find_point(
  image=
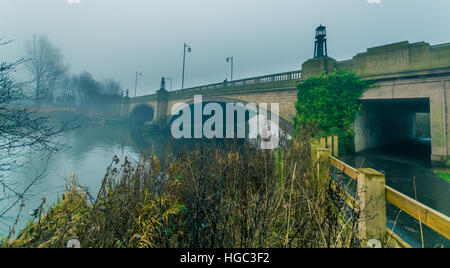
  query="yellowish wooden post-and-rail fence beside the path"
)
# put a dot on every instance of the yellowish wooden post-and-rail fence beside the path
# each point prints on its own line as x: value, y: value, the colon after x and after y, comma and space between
x: 372, y: 195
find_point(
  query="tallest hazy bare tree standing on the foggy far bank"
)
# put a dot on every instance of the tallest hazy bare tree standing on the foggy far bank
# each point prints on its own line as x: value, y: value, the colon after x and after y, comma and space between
x: 45, y: 63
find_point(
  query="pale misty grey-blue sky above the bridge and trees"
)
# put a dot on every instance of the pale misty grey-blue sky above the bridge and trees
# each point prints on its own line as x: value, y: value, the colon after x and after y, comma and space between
x: 115, y: 38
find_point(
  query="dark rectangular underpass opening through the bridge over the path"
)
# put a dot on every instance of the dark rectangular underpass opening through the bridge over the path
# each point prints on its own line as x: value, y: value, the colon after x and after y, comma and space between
x: 398, y: 128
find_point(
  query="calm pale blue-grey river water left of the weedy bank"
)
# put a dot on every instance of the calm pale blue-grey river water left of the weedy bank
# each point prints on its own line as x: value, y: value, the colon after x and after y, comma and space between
x: 89, y: 151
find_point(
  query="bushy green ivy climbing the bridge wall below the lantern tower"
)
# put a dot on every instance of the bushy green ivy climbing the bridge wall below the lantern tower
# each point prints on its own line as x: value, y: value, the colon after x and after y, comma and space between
x: 330, y: 102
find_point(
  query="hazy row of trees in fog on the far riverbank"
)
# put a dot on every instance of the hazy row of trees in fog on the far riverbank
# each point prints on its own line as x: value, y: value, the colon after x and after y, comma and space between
x: 52, y: 83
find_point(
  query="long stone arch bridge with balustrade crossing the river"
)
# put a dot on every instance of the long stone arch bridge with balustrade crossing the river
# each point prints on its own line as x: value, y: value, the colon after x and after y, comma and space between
x: 413, y: 79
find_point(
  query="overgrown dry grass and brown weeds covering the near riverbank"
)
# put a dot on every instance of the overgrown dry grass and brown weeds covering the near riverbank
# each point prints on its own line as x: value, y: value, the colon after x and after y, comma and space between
x: 212, y: 196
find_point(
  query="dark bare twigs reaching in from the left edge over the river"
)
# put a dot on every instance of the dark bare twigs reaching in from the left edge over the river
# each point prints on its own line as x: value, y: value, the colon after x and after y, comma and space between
x: 23, y: 130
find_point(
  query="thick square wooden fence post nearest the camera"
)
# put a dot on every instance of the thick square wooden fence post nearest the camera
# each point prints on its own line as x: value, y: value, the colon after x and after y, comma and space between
x: 372, y: 204
